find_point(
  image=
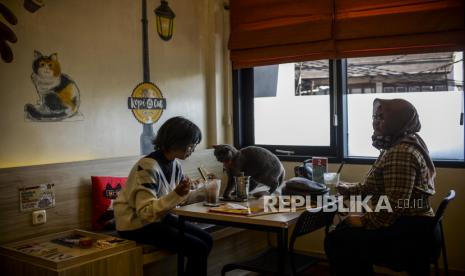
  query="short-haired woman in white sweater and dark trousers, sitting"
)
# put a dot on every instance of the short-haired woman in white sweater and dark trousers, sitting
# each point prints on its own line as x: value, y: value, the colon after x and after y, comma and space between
x: 156, y: 184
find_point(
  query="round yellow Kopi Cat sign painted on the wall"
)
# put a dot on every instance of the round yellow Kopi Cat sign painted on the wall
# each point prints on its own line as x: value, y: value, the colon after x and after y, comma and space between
x: 147, y: 103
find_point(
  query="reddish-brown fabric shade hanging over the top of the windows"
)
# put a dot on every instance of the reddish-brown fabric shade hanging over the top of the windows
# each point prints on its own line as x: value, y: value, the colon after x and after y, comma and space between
x: 278, y: 31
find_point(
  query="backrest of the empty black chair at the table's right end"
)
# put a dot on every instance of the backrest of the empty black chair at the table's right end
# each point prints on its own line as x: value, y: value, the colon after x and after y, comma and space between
x: 312, y: 220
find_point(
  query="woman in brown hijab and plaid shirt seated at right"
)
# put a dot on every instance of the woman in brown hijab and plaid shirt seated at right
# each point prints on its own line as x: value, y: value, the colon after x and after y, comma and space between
x: 404, y: 173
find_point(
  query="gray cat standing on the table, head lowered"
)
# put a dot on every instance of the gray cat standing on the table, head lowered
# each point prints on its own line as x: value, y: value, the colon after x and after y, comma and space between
x: 260, y: 164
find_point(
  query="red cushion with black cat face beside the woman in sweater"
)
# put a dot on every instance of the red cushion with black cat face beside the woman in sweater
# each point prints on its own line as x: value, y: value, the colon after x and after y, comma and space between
x: 104, y: 191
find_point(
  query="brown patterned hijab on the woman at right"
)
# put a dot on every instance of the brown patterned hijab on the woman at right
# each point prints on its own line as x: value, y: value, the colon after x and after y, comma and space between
x: 400, y: 124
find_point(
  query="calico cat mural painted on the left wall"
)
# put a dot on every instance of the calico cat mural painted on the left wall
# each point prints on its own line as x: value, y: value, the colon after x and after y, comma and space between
x: 59, y: 96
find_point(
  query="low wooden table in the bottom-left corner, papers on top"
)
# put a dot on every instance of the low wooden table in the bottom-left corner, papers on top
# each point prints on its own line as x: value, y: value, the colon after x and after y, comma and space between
x: 42, y: 256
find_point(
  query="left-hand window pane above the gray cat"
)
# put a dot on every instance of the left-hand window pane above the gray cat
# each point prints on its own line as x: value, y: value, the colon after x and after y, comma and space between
x: 292, y: 108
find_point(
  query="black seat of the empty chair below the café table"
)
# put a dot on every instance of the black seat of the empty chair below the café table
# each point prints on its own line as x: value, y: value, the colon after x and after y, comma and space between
x: 268, y: 260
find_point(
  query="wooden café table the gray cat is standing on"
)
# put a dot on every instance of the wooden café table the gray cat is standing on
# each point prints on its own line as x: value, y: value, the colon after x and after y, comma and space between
x: 277, y: 223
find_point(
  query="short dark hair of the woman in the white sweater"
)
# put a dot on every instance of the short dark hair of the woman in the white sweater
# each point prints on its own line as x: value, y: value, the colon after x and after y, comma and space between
x: 177, y: 132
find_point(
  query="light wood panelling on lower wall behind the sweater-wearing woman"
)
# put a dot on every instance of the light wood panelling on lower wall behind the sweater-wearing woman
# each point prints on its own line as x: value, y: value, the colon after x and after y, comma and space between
x: 72, y: 191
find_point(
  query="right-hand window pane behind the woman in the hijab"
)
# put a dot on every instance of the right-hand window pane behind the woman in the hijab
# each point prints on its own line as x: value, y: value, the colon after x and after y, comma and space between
x: 439, y: 109
